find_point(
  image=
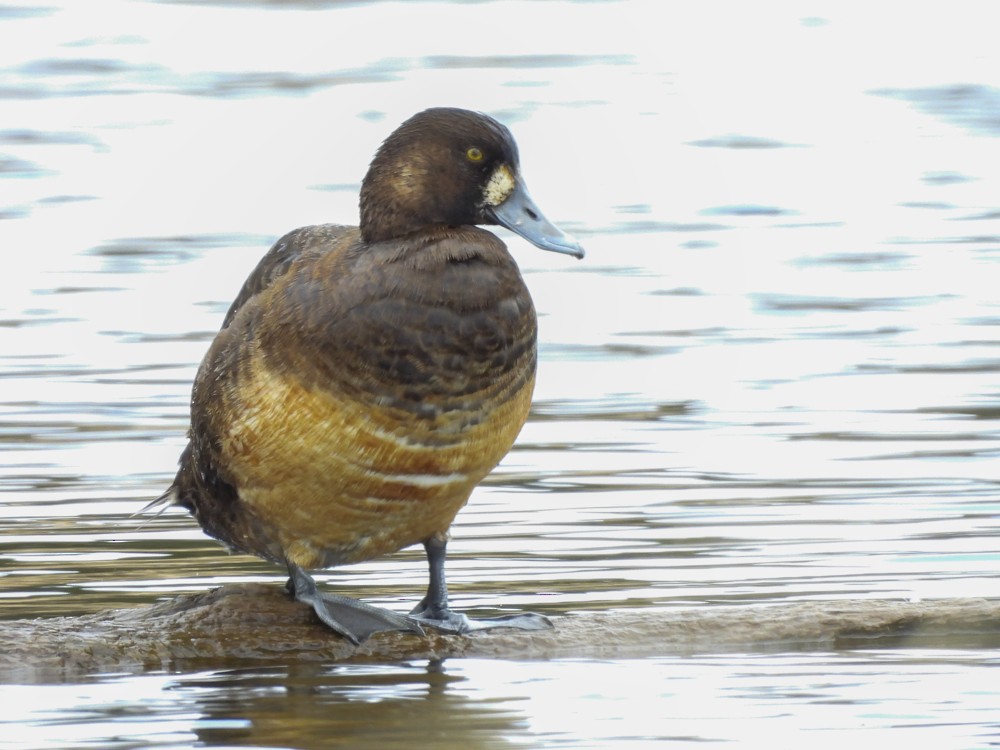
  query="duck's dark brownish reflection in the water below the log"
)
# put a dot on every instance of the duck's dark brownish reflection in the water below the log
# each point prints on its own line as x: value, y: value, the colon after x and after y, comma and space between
x: 404, y: 706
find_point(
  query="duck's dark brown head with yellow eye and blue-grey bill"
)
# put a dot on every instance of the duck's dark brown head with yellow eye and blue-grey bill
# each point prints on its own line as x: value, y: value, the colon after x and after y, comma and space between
x: 452, y: 167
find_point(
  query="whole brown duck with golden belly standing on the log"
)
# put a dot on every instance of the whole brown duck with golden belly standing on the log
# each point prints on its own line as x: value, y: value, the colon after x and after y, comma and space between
x: 367, y: 378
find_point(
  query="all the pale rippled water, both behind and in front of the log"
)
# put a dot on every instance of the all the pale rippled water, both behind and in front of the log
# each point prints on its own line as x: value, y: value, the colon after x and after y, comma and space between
x: 773, y: 379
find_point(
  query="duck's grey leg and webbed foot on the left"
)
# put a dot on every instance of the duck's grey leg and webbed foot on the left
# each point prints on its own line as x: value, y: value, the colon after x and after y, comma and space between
x: 353, y: 620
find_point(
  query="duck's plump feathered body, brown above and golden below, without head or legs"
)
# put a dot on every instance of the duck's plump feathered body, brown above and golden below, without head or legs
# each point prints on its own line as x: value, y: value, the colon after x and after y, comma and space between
x: 358, y: 392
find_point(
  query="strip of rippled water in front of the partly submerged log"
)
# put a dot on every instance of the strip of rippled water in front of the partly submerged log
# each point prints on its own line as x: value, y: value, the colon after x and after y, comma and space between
x: 688, y: 702
